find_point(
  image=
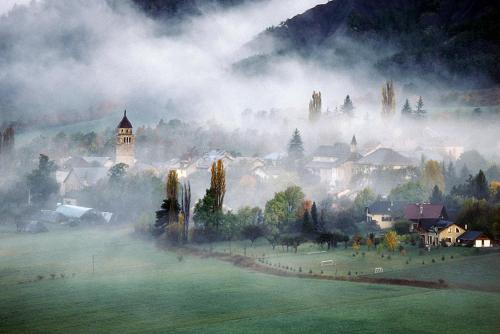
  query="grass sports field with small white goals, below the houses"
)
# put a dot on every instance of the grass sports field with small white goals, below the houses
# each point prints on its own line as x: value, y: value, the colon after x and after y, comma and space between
x: 455, y: 265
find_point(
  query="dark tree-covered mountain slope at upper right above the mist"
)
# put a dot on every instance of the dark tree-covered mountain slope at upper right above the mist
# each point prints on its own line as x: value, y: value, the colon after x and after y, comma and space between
x: 452, y: 39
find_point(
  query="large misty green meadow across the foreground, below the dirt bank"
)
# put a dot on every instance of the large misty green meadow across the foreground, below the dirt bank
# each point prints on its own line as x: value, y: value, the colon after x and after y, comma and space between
x: 137, y: 288
